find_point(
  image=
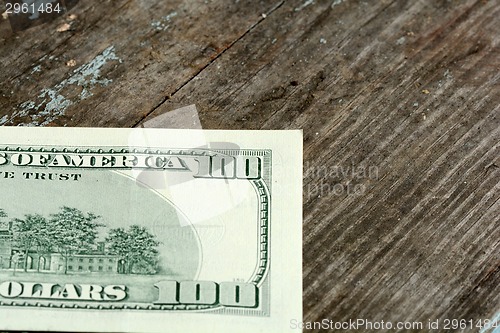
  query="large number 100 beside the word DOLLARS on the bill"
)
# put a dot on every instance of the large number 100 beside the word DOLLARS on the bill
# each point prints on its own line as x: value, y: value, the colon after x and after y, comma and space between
x: 207, y: 293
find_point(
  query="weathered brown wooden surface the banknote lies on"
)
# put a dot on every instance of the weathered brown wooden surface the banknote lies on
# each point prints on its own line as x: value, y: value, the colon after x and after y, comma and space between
x: 407, y: 89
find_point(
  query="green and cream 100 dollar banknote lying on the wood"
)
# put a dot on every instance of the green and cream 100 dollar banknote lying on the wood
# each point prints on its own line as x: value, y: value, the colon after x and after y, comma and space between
x: 148, y: 230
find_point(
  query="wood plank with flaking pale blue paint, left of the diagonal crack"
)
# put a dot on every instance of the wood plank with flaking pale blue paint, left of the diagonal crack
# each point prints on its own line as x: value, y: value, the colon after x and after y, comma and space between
x: 146, y: 49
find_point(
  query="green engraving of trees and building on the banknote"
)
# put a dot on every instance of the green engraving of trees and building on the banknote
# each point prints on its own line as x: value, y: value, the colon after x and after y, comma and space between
x: 62, y: 245
